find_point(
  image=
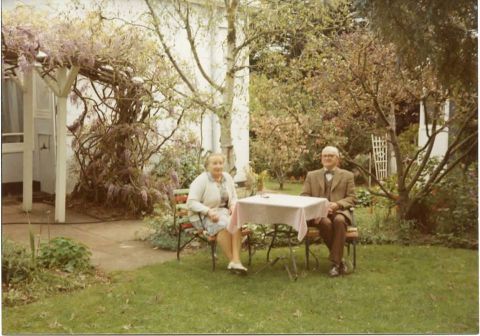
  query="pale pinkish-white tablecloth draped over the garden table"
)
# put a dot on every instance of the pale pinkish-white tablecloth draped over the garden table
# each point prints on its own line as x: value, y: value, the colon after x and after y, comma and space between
x: 278, y: 209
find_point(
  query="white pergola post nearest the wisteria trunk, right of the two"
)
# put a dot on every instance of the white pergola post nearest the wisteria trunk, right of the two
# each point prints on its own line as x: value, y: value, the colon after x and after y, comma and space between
x: 61, y: 152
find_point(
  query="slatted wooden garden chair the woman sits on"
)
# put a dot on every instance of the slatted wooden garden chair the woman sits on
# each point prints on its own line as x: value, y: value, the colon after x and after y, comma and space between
x: 183, y: 224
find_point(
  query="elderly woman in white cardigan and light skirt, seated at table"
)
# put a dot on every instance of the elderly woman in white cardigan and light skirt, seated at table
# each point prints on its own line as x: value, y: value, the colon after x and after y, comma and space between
x: 213, y: 196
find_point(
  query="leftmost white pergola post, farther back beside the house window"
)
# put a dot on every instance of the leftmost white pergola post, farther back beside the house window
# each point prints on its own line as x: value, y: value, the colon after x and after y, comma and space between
x: 28, y: 131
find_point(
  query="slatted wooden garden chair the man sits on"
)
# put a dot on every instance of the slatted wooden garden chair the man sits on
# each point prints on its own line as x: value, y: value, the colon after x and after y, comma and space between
x: 313, y: 236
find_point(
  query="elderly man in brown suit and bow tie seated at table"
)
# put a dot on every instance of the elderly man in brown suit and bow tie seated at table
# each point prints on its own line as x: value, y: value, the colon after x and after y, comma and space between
x: 337, y: 186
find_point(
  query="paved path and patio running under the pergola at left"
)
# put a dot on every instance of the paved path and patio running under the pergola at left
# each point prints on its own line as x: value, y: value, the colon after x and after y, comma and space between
x: 114, y: 244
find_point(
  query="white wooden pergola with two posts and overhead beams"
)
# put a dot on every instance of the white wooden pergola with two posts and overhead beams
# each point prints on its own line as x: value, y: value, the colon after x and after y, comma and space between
x: 59, y: 79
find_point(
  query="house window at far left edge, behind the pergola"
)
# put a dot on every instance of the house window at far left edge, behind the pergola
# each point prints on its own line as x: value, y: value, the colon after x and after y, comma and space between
x: 12, y: 112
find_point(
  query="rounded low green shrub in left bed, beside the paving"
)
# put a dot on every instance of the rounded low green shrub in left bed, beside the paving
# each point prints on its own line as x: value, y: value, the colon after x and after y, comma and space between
x: 65, y: 254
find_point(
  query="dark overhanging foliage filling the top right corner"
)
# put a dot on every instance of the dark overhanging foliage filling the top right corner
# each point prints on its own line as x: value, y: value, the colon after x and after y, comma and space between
x: 443, y: 33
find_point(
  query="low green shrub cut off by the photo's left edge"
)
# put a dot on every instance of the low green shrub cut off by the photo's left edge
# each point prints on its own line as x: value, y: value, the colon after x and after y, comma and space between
x: 17, y: 264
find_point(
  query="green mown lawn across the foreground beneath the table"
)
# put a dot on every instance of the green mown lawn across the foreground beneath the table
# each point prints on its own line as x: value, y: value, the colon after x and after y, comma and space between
x: 396, y: 289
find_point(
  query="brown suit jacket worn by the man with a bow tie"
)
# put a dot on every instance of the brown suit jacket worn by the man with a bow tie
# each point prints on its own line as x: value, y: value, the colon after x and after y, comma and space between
x: 342, y: 192
